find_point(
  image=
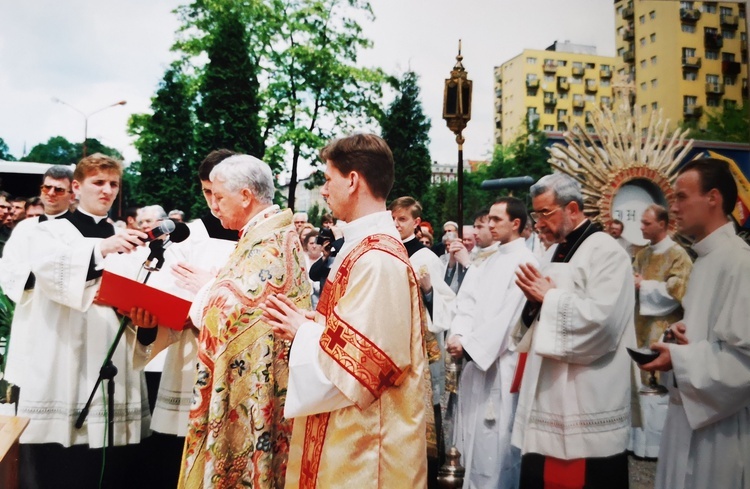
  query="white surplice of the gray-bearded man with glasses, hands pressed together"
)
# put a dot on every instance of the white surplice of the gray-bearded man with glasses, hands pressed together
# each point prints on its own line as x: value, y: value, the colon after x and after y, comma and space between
x: 574, y: 400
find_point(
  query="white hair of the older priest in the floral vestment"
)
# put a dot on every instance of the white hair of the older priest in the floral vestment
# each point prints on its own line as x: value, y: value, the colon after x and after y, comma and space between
x: 245, y: 171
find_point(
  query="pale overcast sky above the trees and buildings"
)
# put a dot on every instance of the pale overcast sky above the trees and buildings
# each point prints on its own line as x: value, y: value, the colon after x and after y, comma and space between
x: 94, y: 53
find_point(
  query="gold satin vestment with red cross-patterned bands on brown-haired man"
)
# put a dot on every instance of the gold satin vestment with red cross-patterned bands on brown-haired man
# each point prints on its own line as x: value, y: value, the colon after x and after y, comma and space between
x: 373, y: 351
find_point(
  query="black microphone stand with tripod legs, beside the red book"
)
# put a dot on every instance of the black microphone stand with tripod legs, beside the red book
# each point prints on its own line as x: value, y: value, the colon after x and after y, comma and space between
x: 108, y: 370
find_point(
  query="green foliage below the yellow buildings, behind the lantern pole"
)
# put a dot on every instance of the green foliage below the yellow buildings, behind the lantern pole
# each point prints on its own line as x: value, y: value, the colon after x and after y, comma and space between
x: 527, y: 155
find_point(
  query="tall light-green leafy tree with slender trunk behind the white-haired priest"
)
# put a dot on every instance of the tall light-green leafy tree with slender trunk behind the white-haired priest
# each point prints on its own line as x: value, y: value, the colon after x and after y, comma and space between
x: 317, y: 88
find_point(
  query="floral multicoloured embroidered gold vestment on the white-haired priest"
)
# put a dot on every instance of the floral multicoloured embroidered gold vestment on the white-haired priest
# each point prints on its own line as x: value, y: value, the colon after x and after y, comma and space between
x: 237, y: 435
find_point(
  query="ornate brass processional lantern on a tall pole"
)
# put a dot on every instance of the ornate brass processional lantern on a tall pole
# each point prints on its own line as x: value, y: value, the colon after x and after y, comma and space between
x: 457, y: 113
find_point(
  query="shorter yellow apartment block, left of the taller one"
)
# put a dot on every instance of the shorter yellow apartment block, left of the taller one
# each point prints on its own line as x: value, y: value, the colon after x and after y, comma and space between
x: 553, y: 88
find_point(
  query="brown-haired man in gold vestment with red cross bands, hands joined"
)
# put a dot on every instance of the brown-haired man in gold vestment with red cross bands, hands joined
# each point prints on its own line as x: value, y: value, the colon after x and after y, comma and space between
x: 358, y: 373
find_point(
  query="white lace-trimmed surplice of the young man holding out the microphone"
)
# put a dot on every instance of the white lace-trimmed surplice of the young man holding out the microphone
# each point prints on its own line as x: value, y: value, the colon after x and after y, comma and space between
x: 65, y: 339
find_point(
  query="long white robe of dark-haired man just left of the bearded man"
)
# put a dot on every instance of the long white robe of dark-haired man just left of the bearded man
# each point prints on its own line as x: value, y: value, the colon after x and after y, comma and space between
x: 488, y: 305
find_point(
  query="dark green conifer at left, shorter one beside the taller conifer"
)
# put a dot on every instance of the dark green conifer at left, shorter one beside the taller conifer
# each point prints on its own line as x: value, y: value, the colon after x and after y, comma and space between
x: 167, y: 171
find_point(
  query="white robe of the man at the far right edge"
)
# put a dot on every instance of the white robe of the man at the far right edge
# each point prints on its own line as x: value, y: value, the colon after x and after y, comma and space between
x: 706, y: 439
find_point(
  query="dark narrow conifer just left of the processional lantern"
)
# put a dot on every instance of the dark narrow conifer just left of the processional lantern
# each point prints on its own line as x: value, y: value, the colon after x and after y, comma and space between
x: 405, y: 128
